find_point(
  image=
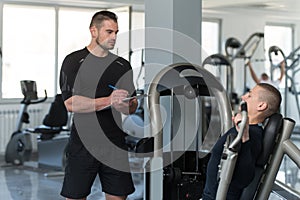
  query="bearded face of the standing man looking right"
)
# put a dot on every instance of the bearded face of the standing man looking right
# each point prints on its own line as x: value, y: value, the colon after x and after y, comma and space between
x: 107, y: 35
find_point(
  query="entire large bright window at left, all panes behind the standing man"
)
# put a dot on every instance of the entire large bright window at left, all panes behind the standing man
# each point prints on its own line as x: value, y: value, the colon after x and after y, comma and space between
x: 34, y: 45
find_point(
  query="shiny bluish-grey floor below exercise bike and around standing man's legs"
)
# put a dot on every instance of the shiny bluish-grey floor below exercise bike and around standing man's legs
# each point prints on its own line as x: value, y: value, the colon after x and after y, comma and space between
x: 28, y: 182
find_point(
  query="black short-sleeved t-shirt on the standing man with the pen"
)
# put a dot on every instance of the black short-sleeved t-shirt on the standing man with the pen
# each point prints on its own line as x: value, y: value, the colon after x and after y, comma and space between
x: 87, y: 75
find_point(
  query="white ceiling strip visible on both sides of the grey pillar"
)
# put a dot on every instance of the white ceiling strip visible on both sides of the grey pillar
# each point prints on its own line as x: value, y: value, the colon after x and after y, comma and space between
x: 288, y: 7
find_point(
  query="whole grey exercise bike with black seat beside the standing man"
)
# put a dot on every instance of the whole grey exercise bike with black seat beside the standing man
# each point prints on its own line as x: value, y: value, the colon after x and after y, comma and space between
x: 51, y: 142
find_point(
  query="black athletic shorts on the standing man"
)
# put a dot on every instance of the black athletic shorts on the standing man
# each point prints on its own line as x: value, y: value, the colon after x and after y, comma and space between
x: 82, y: 169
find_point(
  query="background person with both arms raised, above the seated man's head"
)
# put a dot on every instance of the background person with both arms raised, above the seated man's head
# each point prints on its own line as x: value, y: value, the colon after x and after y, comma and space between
x: 264, y: 78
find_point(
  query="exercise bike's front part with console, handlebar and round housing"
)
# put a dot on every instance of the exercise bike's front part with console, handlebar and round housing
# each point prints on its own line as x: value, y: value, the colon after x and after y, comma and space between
x: 19, y: 147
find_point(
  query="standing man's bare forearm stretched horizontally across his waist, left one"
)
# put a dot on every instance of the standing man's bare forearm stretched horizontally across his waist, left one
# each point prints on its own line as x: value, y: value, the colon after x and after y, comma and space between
x: 81, y: 104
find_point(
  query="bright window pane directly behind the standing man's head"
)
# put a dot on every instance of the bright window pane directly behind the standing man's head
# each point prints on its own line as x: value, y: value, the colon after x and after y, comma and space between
x: 77, y: 21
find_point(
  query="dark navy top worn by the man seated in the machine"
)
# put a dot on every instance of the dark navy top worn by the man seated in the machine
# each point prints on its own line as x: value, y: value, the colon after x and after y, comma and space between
x: 244, y: 168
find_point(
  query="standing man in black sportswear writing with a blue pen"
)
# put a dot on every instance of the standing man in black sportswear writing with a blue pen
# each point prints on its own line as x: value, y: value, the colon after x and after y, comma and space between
x: 94, y: 83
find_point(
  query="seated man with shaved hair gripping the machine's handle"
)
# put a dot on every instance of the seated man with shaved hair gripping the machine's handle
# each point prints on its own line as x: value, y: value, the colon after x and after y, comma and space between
x: 262, y: 101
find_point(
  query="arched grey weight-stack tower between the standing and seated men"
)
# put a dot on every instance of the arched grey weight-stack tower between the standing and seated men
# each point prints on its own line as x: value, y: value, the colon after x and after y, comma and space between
x: 179, y: 173
